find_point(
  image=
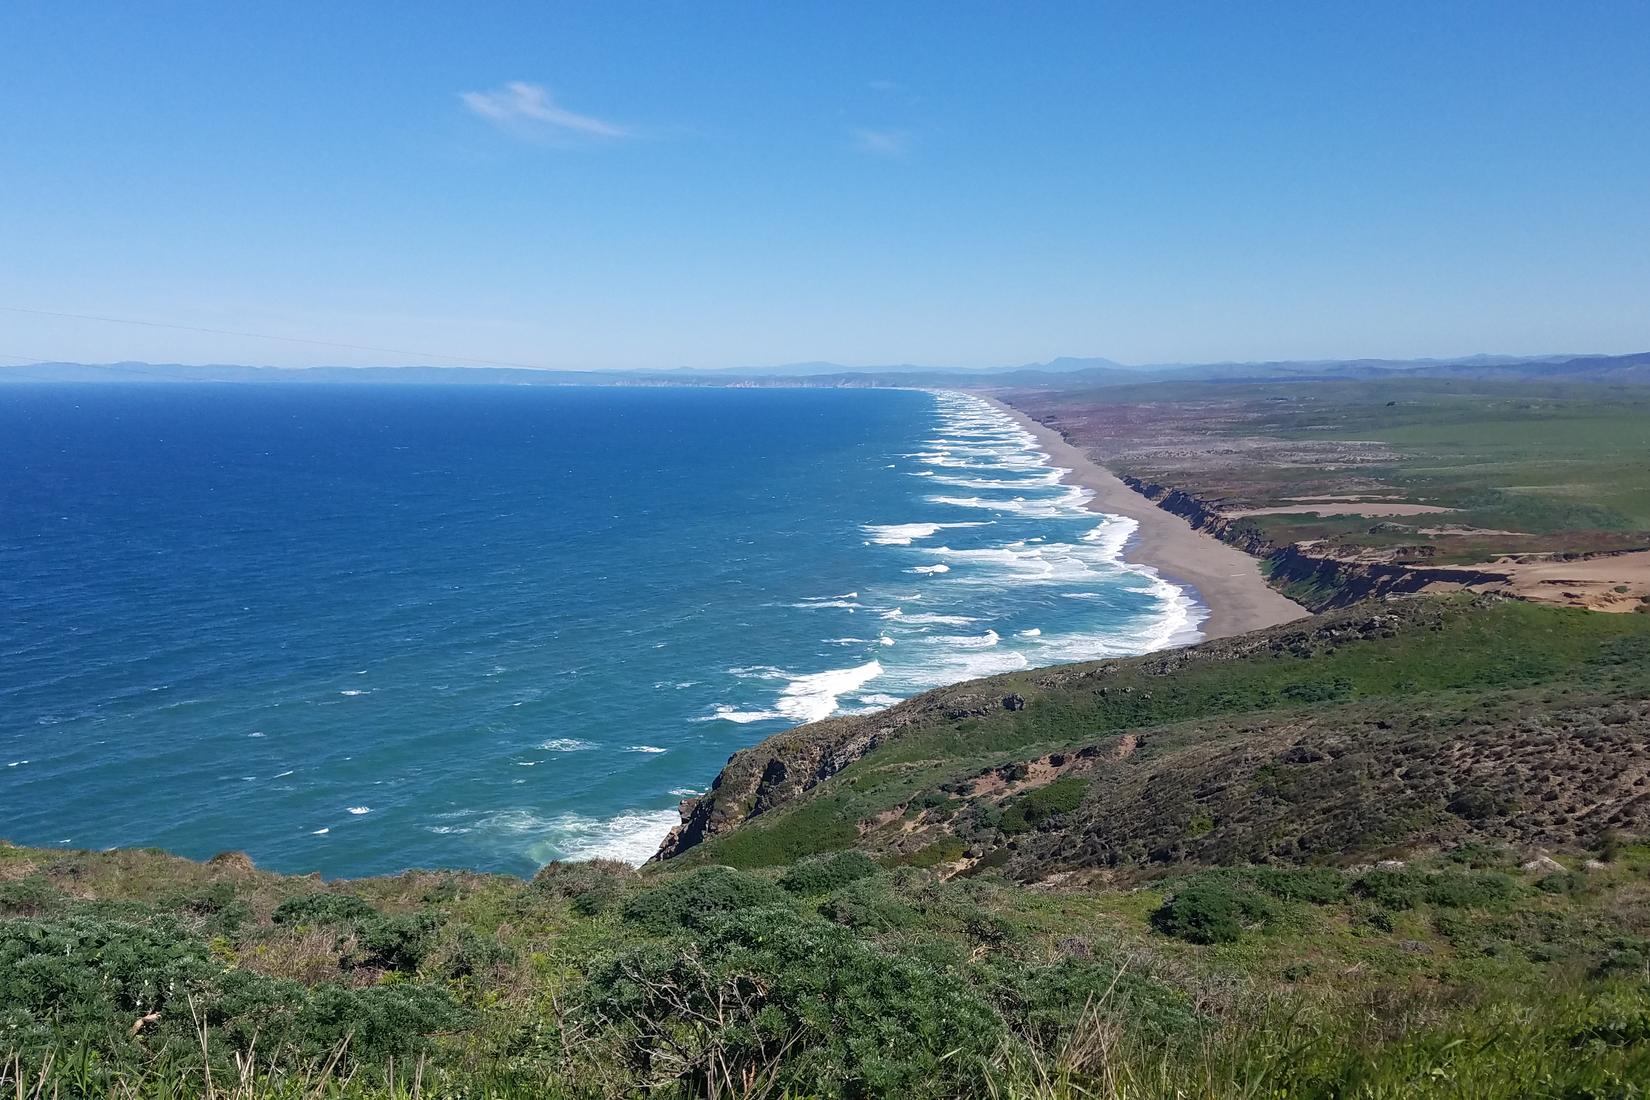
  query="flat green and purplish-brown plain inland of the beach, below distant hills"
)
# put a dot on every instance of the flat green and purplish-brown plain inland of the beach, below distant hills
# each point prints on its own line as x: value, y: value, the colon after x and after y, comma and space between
x: 1530, y: 468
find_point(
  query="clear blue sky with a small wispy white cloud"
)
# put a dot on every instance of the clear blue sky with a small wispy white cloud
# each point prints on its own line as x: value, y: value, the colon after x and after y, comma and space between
x: 618, y: 186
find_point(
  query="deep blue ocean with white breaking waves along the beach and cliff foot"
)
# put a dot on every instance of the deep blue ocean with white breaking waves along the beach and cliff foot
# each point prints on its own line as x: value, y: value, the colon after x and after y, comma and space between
x: 361, y: 629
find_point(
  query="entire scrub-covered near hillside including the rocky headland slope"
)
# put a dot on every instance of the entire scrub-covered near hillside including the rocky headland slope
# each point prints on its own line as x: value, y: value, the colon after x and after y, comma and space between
x: 1384, y: 853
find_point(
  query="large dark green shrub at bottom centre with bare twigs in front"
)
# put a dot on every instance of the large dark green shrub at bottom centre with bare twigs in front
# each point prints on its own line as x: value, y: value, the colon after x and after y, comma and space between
x: 768, y: 990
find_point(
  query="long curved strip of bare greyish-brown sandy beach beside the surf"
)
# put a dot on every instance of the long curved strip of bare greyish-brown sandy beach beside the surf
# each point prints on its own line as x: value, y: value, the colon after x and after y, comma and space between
x: 1225, y: 580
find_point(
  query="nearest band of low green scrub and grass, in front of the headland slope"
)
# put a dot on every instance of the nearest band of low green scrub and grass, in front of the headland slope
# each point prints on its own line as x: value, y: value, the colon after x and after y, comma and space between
x: 829, y: 979
